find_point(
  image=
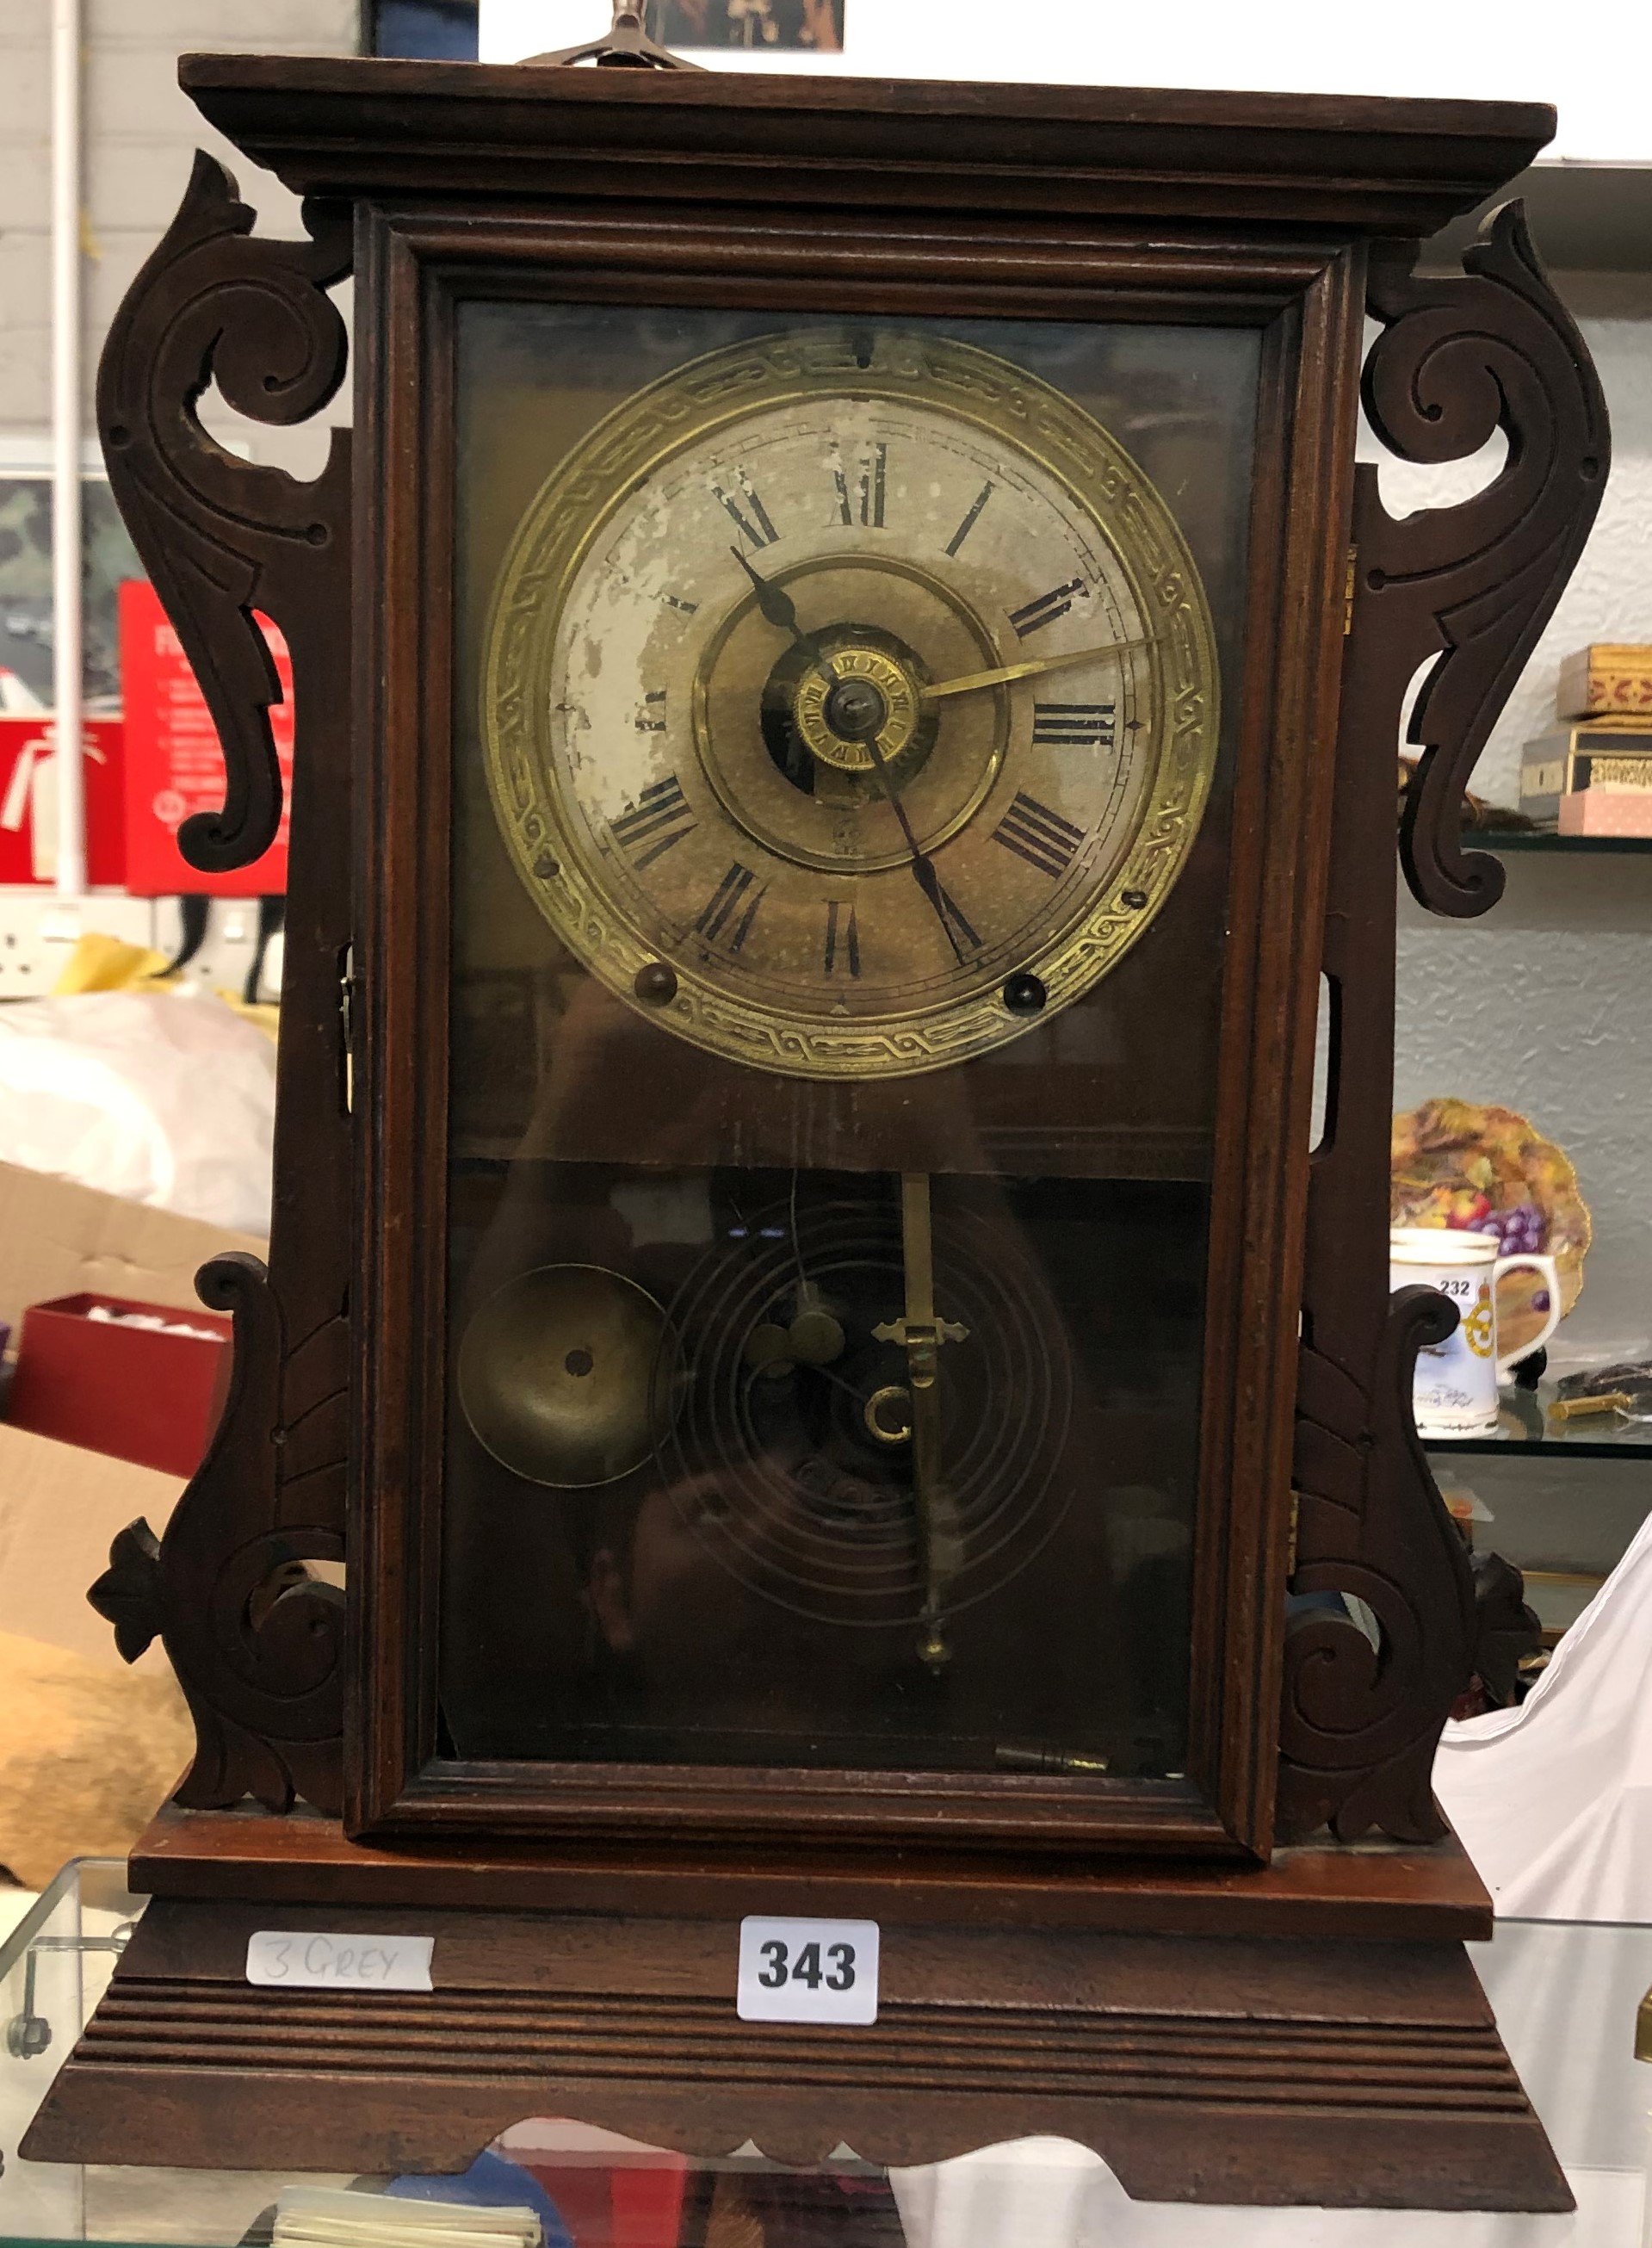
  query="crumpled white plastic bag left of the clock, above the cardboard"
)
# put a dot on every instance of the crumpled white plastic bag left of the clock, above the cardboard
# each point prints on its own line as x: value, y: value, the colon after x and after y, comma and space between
x: 152, y: 1096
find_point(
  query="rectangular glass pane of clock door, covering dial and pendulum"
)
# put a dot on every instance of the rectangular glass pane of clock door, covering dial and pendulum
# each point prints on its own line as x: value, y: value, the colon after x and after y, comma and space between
x: 842, y: 797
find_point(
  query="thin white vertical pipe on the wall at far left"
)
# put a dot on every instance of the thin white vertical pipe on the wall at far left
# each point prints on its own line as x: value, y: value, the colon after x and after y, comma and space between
x: 66, y: 444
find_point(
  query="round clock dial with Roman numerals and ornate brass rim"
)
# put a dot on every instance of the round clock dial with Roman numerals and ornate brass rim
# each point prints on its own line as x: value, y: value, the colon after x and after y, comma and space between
x: 851, y: 702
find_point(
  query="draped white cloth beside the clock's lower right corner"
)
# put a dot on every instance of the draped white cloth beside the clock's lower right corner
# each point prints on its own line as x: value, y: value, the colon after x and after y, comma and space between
x: 1554, y: 1800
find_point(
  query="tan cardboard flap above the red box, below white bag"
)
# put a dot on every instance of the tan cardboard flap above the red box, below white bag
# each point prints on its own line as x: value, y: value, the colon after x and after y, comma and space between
x: 64, y: 1240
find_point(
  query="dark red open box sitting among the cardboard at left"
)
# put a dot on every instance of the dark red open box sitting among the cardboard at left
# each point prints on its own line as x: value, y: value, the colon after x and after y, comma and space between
x: 134, y: 1393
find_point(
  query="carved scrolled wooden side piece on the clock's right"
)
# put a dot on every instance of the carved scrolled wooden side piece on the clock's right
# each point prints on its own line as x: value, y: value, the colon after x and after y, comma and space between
x: 1473, y: 588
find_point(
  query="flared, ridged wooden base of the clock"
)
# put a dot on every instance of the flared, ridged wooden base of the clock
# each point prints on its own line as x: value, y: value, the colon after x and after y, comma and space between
x: 1217, y: 2065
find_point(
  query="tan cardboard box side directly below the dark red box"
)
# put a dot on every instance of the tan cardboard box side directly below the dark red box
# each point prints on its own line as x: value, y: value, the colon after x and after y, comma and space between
x: 60, y: 1514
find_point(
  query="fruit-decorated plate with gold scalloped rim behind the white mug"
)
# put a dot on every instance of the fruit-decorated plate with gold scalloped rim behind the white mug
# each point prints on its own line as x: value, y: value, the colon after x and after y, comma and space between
x: 1491, y: 1172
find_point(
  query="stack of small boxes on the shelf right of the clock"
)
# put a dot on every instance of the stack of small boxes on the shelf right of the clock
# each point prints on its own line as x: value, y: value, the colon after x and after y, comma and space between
x: 1595, y: 774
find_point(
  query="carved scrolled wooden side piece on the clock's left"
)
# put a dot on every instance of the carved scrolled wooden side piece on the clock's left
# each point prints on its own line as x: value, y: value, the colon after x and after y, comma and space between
x: 253, y: 1633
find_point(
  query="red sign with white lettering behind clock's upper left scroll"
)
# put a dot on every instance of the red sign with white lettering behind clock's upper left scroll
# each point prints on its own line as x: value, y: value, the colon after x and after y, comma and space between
x: 174, y: 763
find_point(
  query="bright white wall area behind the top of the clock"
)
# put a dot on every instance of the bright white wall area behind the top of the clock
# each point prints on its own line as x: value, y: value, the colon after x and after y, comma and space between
x: 1592, y: 60
